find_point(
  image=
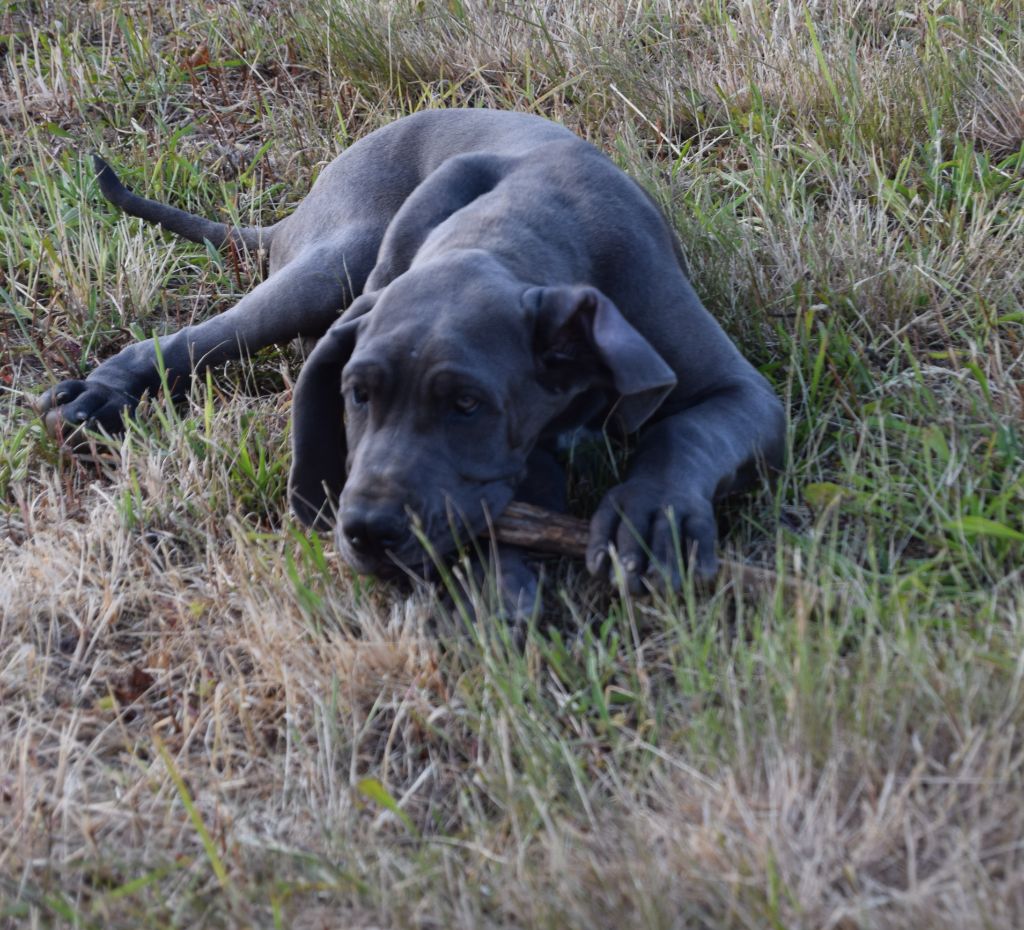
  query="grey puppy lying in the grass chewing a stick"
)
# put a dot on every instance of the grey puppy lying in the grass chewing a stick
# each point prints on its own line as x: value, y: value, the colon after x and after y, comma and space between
x: 500, y: 282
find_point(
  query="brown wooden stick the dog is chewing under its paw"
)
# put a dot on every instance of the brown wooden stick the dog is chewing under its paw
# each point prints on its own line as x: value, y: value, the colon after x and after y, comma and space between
x: 558, y: 534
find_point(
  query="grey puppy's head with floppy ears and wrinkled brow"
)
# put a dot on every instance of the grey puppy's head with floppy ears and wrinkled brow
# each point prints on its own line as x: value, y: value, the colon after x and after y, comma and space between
x: 445, y: 379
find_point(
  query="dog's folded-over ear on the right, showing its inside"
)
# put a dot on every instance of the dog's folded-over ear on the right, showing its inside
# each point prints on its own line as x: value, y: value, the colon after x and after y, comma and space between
x: 582, y: 339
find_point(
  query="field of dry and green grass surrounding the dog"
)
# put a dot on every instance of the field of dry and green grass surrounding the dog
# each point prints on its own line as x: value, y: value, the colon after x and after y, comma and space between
x: 206, y: 721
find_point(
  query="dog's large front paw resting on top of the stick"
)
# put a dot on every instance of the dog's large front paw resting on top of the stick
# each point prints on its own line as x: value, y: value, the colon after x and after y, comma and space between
x: 646, y: 523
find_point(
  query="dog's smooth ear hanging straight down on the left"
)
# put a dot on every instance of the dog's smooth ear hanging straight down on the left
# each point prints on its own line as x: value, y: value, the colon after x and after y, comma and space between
x: 319, y: 448
